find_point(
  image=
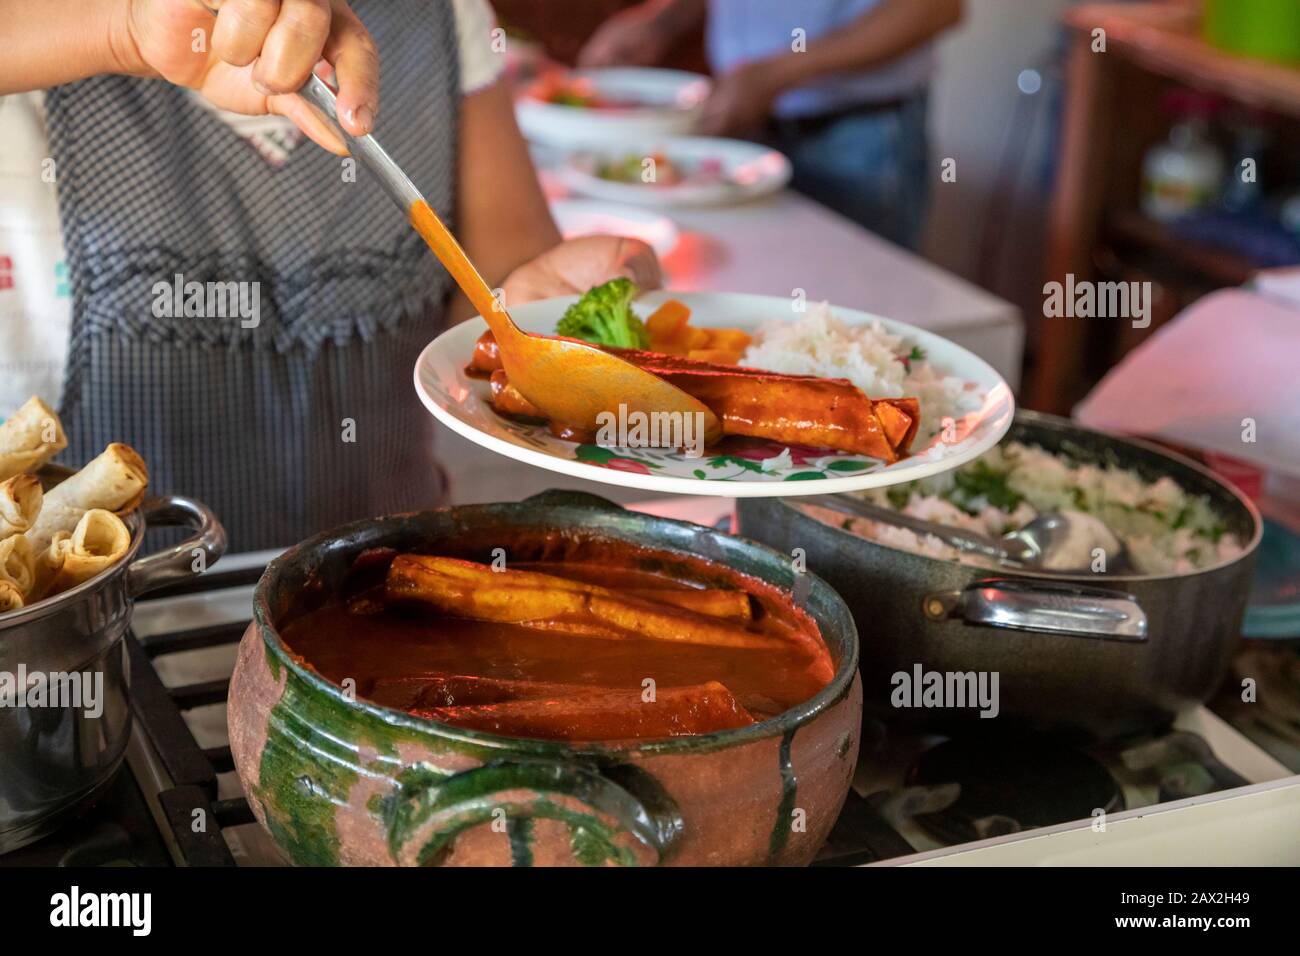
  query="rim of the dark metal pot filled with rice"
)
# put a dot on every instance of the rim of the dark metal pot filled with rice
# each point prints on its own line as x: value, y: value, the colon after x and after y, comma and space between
x: 1052, y: 421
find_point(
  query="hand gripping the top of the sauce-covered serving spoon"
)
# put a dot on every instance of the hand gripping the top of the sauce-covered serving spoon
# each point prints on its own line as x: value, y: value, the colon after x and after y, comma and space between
x: 254, y: 55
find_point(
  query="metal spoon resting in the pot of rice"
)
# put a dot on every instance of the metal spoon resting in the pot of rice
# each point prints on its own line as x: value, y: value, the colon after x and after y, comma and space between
x: 1034, y: 547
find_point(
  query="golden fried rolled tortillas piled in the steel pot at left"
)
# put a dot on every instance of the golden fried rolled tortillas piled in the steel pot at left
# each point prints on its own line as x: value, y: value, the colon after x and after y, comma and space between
x: 55, y: 539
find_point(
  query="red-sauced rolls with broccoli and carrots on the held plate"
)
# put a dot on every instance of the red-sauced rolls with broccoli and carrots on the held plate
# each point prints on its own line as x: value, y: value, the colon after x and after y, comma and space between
x: 794, y: 409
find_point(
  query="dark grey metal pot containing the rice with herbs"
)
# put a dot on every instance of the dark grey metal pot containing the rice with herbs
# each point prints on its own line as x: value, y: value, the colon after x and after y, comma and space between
x: 1106, y: 654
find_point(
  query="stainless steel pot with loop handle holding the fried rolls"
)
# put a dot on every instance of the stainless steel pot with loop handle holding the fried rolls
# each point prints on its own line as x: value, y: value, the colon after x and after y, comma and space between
x: 60, y: 756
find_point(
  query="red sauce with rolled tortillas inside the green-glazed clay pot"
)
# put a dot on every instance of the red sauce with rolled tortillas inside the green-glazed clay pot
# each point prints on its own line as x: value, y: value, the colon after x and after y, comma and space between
x: 582, y: 647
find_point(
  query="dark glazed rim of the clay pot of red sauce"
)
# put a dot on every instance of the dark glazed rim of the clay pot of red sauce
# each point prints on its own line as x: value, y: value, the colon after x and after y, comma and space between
x: 785, y: 723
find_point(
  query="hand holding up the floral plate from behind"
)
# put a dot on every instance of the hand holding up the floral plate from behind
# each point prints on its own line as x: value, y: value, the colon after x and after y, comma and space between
x: 575, y: 266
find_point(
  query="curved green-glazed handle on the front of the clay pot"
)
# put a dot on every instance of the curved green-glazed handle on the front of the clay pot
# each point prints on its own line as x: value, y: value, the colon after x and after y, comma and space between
x: 517, y: 790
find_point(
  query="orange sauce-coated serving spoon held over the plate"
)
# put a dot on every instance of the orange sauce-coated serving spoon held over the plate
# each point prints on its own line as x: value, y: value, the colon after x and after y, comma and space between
x: 571, y: 383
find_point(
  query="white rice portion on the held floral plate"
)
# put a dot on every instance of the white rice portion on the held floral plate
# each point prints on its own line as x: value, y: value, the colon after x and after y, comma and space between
x: 878, y: 362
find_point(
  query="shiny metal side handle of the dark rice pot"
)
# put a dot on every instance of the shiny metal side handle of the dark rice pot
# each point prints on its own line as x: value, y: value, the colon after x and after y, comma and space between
x: 1047, y: 608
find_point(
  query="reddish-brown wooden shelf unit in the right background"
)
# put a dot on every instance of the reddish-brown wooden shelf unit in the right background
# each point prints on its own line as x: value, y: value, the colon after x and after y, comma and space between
x: 1095, y: 232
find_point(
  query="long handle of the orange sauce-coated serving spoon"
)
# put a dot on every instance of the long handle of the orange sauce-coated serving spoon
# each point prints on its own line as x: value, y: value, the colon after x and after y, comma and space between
x: 413, y: 204
